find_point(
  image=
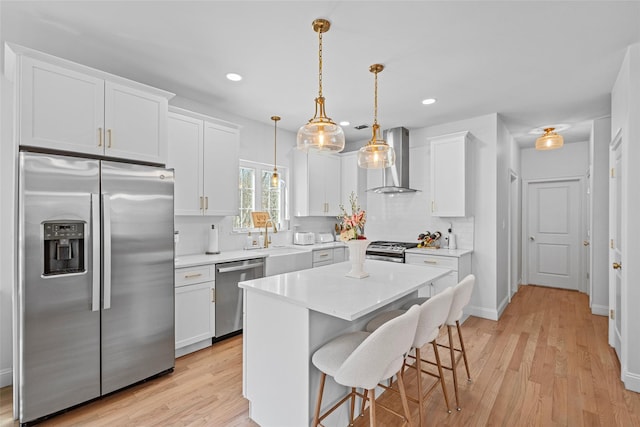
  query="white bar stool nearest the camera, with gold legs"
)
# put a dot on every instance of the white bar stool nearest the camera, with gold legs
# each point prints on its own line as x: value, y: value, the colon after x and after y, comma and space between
x: 362, y: 360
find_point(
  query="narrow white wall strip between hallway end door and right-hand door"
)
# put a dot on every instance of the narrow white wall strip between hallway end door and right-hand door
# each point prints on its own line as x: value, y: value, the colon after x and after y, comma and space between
x: 599, y: 216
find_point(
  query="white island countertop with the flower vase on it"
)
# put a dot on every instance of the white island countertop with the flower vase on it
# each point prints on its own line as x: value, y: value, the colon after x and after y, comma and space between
x: 327, y: 290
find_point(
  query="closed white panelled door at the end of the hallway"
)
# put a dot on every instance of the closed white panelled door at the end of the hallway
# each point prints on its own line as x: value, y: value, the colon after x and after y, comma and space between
x: 554, y: 233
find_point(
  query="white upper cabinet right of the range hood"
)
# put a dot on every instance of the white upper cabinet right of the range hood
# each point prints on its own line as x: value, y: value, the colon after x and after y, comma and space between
x: 450, y: 176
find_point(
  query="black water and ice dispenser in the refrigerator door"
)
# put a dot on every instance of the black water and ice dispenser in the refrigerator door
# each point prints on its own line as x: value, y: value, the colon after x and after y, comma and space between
x: 63, y: 247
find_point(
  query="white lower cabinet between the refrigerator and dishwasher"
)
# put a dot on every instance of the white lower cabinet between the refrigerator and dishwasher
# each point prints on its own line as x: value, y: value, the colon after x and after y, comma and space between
x: 194, y: 308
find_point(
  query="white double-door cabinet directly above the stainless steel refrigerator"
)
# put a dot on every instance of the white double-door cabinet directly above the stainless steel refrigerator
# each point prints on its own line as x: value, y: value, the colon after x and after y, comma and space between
x: 68, y: 107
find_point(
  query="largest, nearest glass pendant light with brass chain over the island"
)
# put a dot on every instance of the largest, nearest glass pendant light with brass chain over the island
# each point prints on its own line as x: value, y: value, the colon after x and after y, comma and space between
x: 320, y: 133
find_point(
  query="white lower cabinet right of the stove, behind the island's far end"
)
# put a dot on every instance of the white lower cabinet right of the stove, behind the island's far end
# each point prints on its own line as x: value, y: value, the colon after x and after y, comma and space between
x: 460, y: 266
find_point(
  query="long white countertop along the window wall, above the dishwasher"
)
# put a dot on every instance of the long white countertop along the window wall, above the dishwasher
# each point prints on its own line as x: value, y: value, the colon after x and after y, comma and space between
x: 237, y: 255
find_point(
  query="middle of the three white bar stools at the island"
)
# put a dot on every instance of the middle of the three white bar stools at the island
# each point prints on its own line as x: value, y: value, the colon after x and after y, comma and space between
x: 433, y: 314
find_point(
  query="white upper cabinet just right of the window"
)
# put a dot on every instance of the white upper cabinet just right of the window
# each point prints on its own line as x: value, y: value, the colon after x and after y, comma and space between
x: 317, y: 184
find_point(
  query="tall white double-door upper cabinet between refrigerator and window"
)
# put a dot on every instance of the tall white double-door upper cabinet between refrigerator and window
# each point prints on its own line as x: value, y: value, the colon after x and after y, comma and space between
x: 205, y: 156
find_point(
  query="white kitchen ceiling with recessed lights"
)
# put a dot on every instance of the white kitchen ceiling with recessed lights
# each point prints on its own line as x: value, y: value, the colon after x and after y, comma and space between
x: 533, y: 62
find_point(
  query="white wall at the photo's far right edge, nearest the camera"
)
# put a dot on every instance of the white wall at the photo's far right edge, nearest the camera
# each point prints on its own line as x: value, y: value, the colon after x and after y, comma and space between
x: 625, y: 110
